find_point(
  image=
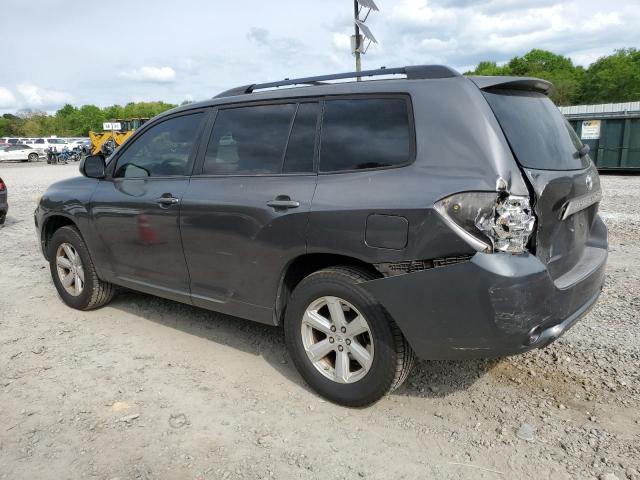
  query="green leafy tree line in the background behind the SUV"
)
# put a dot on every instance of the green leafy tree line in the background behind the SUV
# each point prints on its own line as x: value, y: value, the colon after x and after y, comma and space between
x: 612, y: 78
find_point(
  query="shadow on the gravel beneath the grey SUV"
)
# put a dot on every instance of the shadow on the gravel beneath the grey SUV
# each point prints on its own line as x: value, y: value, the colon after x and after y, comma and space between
x: 429, y: 379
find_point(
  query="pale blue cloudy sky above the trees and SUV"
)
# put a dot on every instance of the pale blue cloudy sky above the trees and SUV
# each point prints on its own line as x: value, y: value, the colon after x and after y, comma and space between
x: 79, y: 52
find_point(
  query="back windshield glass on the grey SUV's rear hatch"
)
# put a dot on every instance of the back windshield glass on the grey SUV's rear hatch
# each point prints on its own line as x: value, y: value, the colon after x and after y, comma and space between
x: 539, y: 135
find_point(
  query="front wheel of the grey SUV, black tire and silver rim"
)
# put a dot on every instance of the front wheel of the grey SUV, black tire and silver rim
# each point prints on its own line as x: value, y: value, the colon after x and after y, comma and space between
x: 94, y: 293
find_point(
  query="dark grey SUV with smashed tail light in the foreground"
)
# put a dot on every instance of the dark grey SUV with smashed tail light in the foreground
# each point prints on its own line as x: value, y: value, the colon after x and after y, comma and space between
x: 375, y: 220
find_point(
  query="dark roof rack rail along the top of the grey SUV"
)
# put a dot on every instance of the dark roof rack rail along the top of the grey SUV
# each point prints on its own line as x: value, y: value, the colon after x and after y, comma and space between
x: 413, y: 72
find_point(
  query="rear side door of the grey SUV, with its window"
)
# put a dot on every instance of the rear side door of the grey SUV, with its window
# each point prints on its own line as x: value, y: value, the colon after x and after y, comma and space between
x: 245, y: 212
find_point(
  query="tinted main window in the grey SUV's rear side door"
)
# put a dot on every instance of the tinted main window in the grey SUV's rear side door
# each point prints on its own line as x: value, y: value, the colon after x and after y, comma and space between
x: 249, y: 140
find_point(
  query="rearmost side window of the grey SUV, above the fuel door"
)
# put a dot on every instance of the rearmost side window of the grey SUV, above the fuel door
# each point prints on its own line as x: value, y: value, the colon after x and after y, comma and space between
x: 364, y: 133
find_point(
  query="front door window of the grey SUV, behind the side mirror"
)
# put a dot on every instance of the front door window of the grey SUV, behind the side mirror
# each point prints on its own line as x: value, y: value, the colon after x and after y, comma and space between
x: 161, y: 151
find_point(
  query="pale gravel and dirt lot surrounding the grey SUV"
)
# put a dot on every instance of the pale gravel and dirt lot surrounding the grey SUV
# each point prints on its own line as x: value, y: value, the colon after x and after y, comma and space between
x: 150, y: 389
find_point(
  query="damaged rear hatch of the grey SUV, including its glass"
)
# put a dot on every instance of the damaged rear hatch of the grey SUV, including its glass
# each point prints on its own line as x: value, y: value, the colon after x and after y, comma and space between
x: 563, y: 178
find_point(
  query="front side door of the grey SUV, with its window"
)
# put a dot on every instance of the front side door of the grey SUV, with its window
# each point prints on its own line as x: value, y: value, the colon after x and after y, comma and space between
x: 136, y: 209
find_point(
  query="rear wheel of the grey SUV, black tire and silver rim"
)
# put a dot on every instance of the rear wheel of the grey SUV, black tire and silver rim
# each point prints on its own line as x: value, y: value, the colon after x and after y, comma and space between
x: 392, y: 357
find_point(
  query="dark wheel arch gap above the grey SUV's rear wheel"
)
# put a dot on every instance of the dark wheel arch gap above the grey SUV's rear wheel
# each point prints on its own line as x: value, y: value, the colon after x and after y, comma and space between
x: 304, y: 265
